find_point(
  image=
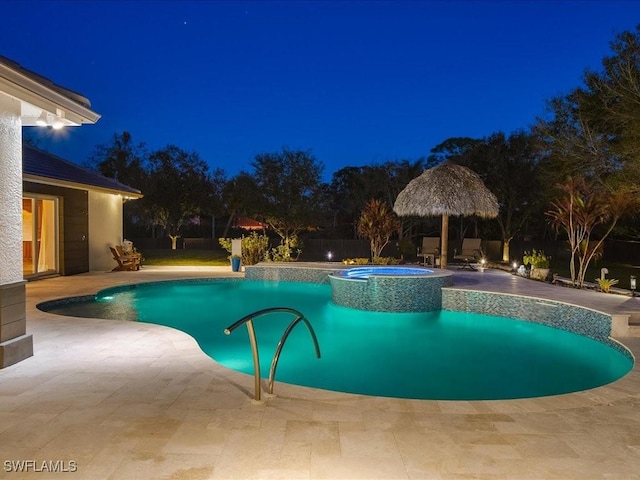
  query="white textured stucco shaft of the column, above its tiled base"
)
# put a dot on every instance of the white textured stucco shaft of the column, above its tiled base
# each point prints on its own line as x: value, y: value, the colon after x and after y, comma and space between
x: 10, y: 191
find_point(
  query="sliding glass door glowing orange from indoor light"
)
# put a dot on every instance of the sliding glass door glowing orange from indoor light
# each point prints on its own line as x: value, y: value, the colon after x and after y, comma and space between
x: 39, y: 235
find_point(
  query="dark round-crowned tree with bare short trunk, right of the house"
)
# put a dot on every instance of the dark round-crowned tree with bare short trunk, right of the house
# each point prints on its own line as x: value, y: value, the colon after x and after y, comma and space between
x: 179, y: 188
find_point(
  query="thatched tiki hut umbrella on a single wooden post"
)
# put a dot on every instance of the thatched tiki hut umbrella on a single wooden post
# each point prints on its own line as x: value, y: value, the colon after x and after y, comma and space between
x: 447, y: 189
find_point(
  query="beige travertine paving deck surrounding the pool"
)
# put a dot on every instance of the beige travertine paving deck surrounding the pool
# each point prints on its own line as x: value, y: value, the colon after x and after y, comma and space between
x: 138, y: 401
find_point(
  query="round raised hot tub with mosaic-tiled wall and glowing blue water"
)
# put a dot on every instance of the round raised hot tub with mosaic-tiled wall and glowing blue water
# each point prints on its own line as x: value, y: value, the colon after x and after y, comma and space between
x: 389, y: 289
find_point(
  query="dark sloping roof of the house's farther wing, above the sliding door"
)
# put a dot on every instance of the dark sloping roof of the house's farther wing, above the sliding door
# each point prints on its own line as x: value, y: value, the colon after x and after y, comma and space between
x: 42, y: 167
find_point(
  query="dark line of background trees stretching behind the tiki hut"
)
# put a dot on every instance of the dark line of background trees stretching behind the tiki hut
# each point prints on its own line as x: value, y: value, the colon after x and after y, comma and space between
x: 592, y: 132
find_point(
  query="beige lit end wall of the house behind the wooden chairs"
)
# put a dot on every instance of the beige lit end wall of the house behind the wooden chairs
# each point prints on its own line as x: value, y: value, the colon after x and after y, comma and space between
x: 105, y: 229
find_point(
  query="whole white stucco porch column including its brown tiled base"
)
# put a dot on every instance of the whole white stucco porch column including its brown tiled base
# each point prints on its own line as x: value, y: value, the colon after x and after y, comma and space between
x: 15, y: 345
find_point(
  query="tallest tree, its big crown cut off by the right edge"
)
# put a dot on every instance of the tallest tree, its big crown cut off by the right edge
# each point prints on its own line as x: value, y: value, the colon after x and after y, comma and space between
x: 595, y: 129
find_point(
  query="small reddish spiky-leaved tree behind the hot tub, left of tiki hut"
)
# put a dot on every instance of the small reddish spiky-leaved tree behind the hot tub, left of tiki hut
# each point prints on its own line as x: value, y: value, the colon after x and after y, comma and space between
x: 377, y: 223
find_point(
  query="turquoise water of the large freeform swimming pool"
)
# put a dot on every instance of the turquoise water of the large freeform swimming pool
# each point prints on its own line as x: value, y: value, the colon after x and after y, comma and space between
x: 435, y: 355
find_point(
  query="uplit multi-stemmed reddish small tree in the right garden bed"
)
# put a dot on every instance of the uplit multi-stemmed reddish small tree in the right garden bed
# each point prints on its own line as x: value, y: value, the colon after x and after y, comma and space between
x: 581, y: 207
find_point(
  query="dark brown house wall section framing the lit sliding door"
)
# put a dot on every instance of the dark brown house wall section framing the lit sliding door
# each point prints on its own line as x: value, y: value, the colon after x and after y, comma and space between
x: 73, y: 224
